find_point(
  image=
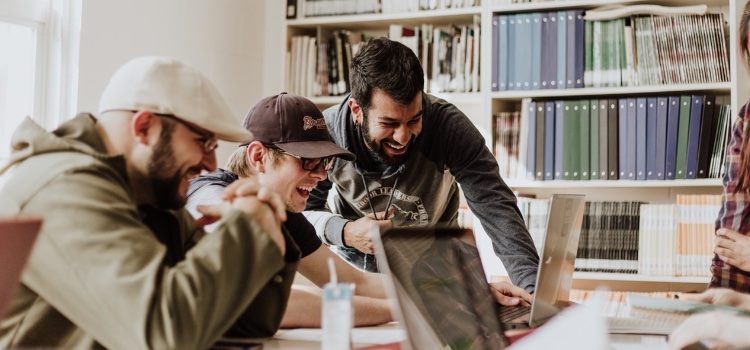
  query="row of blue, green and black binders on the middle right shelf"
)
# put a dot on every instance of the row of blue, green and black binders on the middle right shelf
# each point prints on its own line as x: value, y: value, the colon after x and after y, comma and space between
x: 630, y: 138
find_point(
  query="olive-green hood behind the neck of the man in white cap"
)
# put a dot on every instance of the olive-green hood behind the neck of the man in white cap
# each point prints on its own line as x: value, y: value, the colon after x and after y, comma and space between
x: 76, y: 135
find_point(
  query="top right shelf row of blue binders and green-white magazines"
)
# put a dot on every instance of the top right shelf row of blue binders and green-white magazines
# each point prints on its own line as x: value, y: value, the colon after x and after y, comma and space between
x: 561, y: 50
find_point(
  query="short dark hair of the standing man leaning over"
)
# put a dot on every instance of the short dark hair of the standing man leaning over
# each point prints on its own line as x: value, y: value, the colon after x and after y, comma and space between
x: 388, y: 66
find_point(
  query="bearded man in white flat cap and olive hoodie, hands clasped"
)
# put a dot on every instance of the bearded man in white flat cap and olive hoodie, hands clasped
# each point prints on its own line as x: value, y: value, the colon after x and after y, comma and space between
x: 119, y: 263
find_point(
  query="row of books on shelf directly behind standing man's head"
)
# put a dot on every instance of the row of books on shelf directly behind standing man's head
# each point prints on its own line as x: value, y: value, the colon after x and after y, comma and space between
x: 449, y: 58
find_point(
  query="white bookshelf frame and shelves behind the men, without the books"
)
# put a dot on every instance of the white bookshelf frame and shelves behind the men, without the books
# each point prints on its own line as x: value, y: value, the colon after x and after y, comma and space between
x: 481, y: 106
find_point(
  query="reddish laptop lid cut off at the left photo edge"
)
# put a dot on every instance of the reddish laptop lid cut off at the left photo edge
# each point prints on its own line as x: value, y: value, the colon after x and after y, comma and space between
x: 17, y: 237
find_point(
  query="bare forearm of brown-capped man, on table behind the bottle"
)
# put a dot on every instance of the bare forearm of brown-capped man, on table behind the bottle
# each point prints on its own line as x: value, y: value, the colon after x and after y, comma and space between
x: 304, y: 309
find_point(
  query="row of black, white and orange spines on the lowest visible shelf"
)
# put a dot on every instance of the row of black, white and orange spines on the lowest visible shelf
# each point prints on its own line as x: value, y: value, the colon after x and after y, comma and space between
x: 638, y: 238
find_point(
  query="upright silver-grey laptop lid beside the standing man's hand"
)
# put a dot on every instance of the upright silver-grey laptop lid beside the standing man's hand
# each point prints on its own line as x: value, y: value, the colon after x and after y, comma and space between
x: 555, y: 275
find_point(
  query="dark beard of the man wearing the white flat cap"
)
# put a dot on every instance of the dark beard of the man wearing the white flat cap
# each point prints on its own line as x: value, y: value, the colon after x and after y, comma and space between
x: 165, y: 188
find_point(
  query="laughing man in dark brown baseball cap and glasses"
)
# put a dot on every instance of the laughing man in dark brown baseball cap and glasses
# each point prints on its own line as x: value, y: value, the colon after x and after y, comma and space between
x: 290, y: 152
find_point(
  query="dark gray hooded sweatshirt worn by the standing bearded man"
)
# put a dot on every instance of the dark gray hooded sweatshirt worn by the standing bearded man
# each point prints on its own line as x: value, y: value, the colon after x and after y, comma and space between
x: 423, y: 191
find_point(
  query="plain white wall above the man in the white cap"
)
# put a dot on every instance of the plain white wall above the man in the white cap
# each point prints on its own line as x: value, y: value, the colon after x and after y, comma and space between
x: 222, y: 38
